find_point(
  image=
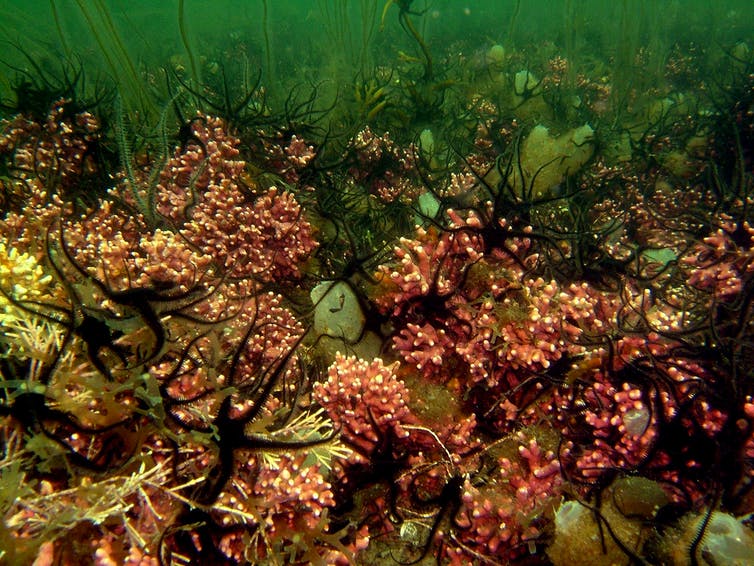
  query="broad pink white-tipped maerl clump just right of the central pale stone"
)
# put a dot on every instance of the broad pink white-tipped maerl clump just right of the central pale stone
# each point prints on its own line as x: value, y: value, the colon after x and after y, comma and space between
x: 460, y: 301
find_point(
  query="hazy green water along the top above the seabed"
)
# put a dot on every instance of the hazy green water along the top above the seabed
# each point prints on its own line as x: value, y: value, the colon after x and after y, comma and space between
x: 293, y: 41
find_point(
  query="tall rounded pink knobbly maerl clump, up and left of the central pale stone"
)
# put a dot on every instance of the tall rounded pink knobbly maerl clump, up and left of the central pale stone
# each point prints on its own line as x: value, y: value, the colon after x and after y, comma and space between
x: 263, y: 235
